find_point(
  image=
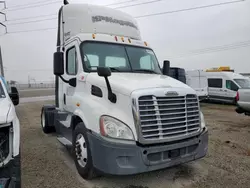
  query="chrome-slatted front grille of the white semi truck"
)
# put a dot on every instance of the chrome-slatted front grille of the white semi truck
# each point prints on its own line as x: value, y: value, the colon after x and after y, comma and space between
x: 164, y: 117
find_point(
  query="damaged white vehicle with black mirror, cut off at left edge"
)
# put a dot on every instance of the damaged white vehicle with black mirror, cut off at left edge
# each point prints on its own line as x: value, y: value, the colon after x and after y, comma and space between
x: 9, y: 138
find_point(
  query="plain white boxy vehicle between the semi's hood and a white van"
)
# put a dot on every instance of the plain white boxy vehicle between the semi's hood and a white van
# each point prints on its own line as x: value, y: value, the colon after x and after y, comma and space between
x: 197, y: 80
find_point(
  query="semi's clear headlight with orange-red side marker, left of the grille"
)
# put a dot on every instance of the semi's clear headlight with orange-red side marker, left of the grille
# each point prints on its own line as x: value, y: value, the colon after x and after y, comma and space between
x: 111, y: 127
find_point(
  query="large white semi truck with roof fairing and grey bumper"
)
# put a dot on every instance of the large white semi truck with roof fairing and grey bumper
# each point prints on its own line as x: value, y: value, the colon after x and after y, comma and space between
x: 114, y: 107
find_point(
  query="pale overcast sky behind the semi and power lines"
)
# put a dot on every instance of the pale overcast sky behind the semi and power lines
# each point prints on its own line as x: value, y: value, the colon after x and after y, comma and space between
x: 192, y: 39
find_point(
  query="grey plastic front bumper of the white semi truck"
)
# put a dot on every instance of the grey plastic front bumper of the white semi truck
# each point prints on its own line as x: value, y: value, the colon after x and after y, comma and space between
x: 124, y: 159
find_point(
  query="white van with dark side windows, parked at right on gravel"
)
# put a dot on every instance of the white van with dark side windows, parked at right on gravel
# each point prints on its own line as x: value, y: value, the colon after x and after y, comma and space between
x: 223, y: 86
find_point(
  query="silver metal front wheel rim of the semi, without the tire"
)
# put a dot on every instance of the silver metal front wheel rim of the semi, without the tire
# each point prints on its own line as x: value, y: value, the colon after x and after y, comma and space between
x: 81, y: 150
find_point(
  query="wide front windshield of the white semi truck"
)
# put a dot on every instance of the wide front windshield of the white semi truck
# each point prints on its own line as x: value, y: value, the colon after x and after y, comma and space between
x: 119, y: 58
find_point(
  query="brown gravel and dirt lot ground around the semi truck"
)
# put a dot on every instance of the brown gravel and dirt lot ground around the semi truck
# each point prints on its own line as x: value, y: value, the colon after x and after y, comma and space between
x: 45, y: 163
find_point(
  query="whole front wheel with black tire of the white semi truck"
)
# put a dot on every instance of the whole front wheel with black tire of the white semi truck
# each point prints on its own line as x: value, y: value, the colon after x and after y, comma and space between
x: 82, y: 153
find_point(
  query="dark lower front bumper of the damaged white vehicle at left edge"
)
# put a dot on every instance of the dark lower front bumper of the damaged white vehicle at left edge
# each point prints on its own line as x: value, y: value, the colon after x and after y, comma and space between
x: 10, y: 175
